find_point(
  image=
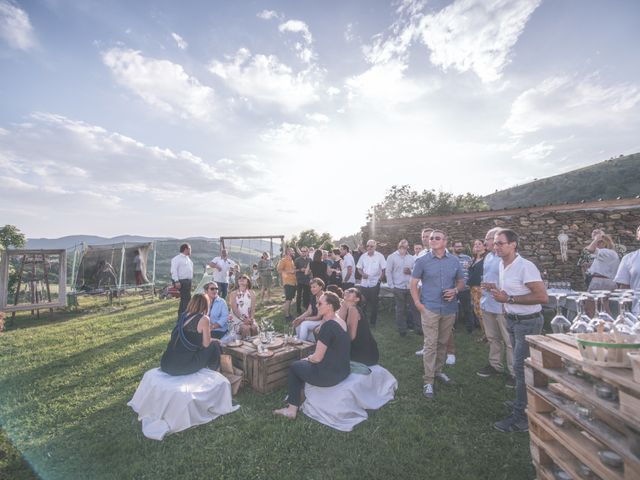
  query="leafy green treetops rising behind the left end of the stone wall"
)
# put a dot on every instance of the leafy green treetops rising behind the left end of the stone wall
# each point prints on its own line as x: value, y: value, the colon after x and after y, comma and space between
x: 403, y: 202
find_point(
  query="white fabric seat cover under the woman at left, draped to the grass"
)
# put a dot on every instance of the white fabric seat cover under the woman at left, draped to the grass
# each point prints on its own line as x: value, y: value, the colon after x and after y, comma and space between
x: 168, y: 404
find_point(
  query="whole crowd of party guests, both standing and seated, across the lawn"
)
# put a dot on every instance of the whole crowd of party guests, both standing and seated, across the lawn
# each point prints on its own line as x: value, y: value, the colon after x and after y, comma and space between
x: 504, y: 293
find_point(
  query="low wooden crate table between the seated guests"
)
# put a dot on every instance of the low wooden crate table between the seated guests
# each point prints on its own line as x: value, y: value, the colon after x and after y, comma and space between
x: 266, y: 374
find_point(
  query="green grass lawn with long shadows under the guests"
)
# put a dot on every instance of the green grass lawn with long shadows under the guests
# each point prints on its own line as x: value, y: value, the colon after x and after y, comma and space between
x: 65, y: 380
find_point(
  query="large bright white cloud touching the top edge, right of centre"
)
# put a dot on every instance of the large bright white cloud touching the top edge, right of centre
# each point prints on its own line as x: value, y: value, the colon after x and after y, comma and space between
x: 476, y: 35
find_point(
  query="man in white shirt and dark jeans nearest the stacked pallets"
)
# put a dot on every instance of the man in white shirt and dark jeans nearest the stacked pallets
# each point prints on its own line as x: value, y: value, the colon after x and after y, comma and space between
x: 521, y: 291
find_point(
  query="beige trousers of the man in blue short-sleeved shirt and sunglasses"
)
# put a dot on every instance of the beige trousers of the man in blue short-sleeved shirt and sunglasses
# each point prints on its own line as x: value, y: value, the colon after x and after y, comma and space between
x: 437, y: 331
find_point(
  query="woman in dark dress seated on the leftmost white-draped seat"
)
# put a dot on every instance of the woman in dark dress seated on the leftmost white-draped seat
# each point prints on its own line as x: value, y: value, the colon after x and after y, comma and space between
x: 191, y: 347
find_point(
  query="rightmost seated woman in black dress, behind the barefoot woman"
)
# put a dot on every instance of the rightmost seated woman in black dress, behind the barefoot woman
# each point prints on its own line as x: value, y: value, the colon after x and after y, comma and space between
x: 364, y: 348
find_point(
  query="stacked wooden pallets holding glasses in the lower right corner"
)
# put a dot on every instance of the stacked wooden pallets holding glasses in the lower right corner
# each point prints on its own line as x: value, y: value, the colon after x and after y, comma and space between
x: 613, y: 425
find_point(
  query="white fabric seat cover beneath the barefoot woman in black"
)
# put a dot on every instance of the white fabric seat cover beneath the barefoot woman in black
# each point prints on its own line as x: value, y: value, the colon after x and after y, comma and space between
x: 345, y: 405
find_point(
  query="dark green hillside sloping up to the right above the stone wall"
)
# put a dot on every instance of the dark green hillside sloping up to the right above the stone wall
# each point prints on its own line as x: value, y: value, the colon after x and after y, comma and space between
x: 613, y: 178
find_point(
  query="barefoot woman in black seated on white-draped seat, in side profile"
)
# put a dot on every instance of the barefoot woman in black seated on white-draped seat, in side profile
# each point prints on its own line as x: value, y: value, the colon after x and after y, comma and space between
x: 328, y: 365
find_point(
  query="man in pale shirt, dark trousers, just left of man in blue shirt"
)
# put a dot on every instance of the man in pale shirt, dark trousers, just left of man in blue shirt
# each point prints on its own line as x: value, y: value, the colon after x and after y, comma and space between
x: 399, y: 267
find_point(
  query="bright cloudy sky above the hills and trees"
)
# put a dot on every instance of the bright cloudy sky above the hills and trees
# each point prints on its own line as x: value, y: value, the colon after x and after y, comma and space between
x: 209, y: 118
